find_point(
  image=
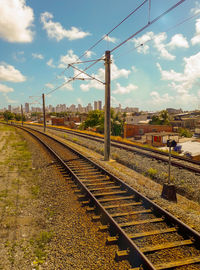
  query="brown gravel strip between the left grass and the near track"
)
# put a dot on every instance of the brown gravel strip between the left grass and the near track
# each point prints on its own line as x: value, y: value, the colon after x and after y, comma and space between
x: 77, y: 242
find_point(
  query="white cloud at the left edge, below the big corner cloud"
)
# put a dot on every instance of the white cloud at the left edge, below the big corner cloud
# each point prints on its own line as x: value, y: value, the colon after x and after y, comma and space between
x: 10, y: 74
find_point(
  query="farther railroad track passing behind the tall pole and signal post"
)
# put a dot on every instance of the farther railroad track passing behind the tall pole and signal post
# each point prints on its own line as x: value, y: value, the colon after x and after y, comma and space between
x: 178, y: 161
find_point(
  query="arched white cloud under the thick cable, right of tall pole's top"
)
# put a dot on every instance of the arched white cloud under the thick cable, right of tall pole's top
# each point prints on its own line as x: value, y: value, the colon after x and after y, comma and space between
x: 158, y: 43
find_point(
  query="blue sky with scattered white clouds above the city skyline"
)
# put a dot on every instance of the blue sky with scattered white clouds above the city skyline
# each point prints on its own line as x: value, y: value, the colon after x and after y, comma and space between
x: 38, y: 39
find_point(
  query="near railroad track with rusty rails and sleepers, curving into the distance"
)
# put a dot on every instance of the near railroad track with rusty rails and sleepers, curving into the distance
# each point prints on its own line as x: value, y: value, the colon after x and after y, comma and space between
x: 147, y: 235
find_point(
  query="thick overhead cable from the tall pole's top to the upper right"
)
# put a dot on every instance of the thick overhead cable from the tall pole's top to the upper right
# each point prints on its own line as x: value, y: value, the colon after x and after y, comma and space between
x: 147, y: 25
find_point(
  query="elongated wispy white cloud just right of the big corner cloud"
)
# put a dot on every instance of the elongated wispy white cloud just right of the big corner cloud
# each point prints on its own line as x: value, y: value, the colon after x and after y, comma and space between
x: 55, y: 29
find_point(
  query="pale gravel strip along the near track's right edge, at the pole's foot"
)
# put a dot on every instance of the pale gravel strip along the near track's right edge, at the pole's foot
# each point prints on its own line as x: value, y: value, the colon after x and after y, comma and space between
x: 186, y: 210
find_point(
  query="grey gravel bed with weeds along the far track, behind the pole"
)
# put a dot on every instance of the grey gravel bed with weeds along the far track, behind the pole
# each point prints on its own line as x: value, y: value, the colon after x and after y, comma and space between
x: 187, y: 183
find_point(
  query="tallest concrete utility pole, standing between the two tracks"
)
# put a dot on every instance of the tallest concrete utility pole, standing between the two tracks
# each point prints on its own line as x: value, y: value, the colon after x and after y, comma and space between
x: 107, y: 108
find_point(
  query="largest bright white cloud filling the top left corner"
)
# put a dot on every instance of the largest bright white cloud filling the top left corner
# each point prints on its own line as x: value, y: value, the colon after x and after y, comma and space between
x: 16, y: 21
